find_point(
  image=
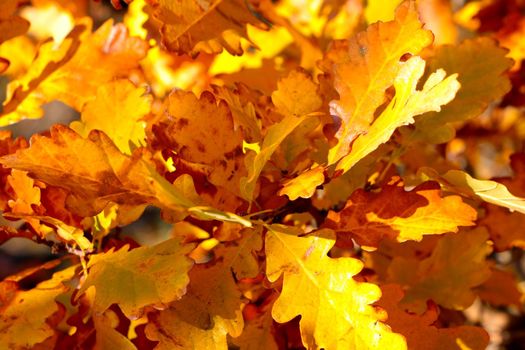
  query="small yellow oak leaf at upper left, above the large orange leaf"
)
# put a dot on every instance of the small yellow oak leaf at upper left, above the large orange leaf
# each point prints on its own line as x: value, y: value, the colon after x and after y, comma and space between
x: 126, y: 104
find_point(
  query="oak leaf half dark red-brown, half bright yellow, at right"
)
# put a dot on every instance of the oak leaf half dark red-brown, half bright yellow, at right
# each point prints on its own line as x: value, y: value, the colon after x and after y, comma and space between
x: 369, y: 217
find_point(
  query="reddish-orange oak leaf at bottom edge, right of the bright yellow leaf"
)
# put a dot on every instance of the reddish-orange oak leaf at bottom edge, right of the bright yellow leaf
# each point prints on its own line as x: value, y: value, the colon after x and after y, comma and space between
x: 420, y: 331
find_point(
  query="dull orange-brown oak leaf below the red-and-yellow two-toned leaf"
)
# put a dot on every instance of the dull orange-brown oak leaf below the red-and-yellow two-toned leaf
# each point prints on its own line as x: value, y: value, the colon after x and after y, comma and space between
x: 449, y: 275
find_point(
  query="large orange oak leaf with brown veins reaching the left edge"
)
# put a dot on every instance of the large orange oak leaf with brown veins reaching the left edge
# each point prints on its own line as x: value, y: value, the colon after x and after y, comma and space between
x: 94, y: 172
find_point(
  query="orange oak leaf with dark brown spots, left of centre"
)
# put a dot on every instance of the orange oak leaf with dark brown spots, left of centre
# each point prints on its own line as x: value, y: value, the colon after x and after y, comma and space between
x: 202, y: 132
